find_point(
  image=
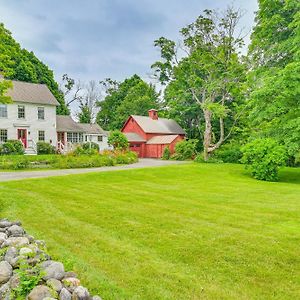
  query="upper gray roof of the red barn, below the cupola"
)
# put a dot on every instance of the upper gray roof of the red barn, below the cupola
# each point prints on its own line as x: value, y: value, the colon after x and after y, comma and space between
x: 161, y: 125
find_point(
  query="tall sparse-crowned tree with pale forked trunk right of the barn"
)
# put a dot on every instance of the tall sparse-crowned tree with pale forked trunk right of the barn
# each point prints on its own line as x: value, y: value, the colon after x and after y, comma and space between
x: 210, y: 75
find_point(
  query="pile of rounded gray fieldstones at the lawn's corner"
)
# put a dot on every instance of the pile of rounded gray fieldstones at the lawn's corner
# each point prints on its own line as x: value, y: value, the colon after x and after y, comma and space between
x: 23, y: 257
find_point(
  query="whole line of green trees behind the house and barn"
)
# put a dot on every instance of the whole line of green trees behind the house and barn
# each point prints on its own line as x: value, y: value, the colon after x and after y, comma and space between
x: 222, y: 98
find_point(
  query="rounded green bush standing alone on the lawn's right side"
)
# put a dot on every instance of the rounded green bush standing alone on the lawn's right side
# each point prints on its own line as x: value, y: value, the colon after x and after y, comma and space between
x: 264, y: 157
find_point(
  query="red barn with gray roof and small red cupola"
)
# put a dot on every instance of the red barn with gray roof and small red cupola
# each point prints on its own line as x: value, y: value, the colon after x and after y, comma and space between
x: 148, y: 136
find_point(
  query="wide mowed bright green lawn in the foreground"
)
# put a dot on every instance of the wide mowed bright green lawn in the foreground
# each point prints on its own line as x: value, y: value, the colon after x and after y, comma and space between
x: 195, y: 231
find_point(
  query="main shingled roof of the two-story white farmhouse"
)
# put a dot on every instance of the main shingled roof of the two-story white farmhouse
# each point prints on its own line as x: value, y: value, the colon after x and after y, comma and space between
x: 31, y: 93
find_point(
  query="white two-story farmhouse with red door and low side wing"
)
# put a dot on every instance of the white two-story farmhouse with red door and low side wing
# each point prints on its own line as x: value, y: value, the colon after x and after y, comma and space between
x: 32, y: 118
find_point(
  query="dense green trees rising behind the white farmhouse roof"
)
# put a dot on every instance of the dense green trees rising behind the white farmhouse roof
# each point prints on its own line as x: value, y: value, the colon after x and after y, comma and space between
x: 19, y: 64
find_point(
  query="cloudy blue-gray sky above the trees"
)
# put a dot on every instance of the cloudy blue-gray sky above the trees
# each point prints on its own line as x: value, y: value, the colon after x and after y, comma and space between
x: 96, y: 39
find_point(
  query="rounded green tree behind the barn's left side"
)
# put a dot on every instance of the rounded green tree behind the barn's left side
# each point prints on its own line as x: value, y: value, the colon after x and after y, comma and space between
x: 132, y: 96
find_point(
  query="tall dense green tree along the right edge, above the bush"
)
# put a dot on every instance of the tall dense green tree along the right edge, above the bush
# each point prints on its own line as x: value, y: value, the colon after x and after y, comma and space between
x: 275, y: 73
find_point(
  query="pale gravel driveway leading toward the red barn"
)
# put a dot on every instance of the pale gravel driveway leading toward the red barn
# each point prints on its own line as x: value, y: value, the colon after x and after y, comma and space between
x: 143, y: 163
